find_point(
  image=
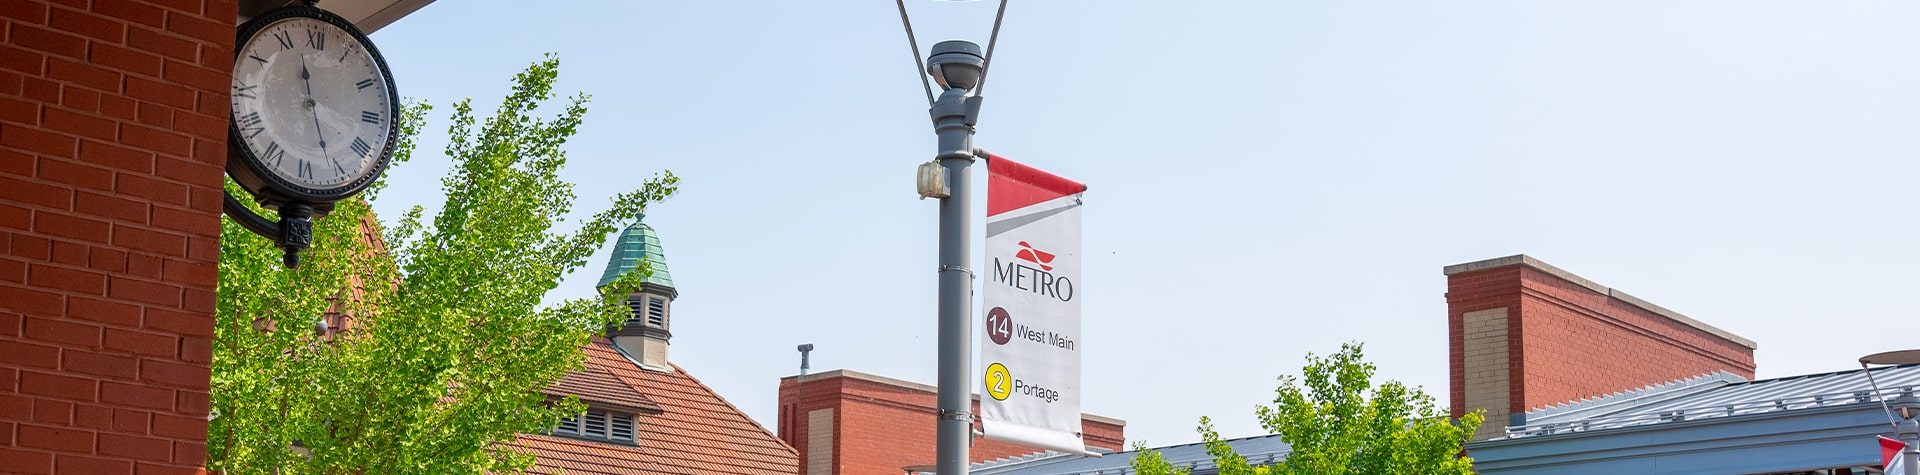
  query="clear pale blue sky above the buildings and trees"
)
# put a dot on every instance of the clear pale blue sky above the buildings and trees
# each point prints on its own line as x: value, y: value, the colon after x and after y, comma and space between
x: 1268, y: 178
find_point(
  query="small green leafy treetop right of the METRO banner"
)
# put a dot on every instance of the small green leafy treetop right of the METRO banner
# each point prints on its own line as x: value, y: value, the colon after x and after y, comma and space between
x: 1337, y: 420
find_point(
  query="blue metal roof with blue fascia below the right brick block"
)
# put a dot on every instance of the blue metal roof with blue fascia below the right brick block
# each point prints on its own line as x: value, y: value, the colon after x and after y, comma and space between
x: 1712, y: 424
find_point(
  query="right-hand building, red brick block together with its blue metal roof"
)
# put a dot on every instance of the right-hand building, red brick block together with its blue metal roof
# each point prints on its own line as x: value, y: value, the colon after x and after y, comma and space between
x: 1579, y: 378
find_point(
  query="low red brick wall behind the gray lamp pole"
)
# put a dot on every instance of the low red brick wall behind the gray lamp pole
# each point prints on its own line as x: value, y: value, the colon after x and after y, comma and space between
x: 882, y: 428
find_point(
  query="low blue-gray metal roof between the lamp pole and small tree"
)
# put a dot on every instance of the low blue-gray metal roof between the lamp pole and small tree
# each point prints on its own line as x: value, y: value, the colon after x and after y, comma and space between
x: 1266, y: 449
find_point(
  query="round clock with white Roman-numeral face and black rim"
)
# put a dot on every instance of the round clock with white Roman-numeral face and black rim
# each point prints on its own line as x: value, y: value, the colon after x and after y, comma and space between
x: 314, y: 105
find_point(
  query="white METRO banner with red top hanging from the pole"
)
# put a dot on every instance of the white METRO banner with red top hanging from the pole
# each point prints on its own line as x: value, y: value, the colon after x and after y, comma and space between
x: 1032, y: 343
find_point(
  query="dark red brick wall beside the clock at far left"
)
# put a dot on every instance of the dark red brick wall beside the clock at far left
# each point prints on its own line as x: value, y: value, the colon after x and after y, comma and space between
x: 112, y: 141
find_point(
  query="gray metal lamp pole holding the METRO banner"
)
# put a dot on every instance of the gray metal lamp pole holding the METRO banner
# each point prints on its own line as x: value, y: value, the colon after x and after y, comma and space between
x: 957, y: 68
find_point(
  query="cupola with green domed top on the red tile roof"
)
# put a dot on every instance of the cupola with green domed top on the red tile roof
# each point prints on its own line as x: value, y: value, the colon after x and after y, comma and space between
x: 646, y: 336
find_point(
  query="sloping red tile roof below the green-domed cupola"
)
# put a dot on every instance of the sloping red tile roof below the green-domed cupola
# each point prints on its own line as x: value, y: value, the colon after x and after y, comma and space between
x: 698, y: 432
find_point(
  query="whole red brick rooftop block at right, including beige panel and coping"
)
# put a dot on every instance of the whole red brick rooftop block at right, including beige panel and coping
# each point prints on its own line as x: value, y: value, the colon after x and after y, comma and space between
x: 1527, y: 336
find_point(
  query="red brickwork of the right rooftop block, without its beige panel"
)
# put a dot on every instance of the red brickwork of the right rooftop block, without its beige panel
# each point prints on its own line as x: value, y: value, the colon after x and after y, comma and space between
x: 1572, y: 341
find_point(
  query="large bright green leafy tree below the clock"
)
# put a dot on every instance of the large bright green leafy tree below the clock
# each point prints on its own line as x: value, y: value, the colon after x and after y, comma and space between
x: 452, y: 345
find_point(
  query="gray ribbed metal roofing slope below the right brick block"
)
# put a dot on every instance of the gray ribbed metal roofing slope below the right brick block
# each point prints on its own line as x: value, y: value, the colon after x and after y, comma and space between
x: 1719, y: 397
